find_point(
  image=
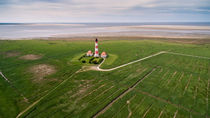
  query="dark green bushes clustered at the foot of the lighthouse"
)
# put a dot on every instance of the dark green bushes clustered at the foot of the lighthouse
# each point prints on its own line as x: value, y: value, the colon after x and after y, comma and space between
x: 90, y: 60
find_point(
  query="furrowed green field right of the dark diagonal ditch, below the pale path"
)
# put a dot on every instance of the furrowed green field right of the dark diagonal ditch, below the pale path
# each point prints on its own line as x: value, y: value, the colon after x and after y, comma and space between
x: 164, y: 87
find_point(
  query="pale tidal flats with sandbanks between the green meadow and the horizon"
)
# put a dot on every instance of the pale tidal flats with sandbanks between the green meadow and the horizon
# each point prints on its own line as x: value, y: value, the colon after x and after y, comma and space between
x: 146, y: 31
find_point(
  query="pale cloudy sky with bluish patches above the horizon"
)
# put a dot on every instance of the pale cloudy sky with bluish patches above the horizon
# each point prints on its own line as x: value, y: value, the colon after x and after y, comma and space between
x: 30, y: 11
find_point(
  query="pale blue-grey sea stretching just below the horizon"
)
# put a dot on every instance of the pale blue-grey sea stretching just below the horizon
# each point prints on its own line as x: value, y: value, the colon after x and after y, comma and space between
x: 45, y: 30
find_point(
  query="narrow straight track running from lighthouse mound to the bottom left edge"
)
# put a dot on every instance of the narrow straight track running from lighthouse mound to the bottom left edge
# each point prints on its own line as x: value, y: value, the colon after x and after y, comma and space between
x: 36, y: 102
